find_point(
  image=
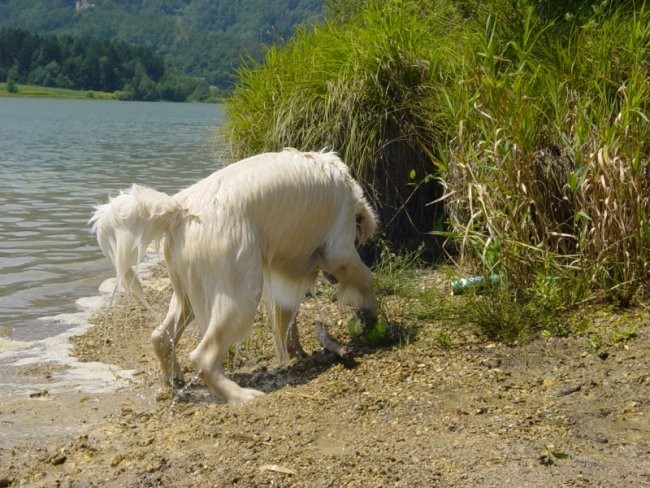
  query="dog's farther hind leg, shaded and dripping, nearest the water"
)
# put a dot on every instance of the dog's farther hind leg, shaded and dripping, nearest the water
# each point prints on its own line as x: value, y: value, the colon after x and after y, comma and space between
x: 166, y: 336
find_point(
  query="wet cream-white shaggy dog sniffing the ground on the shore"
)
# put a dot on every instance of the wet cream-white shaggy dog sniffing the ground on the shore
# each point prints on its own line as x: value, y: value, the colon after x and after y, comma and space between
x: 261, y: 228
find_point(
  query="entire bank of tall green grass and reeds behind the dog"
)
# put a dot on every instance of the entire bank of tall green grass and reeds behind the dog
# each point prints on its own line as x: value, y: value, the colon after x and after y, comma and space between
x: 527, y: 134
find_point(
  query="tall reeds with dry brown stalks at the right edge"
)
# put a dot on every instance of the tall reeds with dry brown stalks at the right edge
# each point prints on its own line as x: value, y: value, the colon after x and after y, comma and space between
x: 547, y: 176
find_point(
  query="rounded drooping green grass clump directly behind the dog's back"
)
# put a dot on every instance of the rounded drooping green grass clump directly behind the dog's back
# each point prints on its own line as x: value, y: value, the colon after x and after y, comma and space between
x: 369, y: 88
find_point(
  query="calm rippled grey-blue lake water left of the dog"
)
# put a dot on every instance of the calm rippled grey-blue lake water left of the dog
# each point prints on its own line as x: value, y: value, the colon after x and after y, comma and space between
x: 60, y: 158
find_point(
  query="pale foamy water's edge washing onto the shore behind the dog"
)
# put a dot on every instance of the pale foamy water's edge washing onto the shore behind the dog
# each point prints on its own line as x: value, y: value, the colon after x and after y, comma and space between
x: 49, y: 393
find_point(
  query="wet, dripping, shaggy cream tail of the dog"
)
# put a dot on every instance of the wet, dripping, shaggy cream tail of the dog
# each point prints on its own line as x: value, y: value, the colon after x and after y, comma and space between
x: 127, y: 224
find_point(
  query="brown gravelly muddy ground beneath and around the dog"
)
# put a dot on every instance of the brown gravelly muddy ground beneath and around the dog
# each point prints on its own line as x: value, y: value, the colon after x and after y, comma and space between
x: 445, y: 407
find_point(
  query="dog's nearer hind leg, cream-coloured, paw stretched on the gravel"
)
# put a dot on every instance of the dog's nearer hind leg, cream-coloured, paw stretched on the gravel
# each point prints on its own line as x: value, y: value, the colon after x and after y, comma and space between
x: 231, y: 319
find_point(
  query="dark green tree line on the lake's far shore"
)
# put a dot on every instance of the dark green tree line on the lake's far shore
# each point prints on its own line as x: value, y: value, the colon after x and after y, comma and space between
x: 89, y: 64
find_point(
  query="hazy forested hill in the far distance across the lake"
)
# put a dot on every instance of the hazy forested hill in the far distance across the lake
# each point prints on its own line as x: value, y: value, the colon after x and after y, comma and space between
x: 204, y: 38
